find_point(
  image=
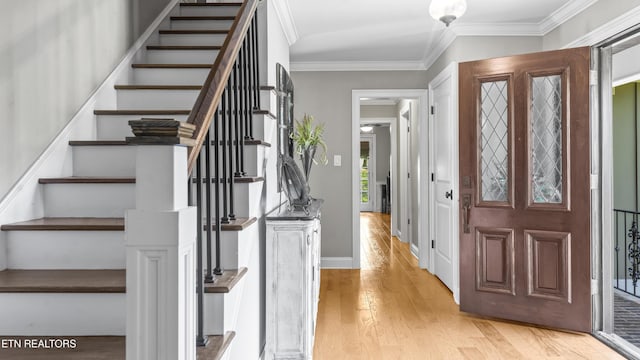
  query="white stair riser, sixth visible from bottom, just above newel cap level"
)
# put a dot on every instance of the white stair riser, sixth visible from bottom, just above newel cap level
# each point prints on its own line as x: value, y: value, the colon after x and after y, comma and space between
x: 156, y: 99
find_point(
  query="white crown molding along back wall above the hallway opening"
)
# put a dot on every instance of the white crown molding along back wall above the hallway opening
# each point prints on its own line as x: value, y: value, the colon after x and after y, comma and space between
x: 356, y: 65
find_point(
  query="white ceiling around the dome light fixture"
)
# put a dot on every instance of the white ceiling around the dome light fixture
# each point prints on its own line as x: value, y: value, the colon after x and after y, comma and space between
x: 400, y: 34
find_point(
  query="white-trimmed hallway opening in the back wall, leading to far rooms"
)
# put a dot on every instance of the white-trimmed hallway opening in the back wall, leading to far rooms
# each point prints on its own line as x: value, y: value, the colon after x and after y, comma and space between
x: 390, y: 184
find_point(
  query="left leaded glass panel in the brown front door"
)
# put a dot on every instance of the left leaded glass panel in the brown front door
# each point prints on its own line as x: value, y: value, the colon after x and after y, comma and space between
x: 494, y: 141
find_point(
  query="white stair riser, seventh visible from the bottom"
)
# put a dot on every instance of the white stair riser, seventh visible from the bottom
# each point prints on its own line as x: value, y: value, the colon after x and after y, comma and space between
x: 144, y: 76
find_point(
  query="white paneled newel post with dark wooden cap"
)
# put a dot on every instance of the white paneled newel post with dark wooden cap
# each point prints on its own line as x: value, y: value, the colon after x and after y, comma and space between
x: 160, y: 237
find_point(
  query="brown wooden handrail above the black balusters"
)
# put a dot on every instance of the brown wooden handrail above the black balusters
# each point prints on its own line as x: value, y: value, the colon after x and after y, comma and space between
x: 214, y: 86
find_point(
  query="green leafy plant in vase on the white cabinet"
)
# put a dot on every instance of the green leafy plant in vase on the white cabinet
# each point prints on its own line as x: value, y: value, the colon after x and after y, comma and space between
x: 307, y: 137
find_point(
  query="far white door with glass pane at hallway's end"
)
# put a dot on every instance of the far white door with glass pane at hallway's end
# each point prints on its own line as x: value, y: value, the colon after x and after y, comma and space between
x: 367, y: 172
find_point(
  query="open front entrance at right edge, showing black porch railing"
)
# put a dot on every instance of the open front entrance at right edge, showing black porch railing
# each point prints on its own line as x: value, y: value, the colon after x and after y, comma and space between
x: 625, y: 244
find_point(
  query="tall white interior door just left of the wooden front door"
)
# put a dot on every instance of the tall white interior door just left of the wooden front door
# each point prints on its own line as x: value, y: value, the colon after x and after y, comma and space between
x: 443, y: 179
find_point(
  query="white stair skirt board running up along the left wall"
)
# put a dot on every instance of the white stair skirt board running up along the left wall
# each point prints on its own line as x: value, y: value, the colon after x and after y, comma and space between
x: 24, y: 201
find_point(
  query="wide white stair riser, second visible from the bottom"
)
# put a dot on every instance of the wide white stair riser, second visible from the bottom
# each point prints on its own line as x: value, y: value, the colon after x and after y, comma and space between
x: 65, y: 250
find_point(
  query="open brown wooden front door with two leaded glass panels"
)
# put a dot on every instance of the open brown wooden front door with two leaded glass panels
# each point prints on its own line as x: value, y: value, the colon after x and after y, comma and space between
x: 525, y: 188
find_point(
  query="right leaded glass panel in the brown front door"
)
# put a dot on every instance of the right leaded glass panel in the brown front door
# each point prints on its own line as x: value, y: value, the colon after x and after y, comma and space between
x: 546, y: 139
